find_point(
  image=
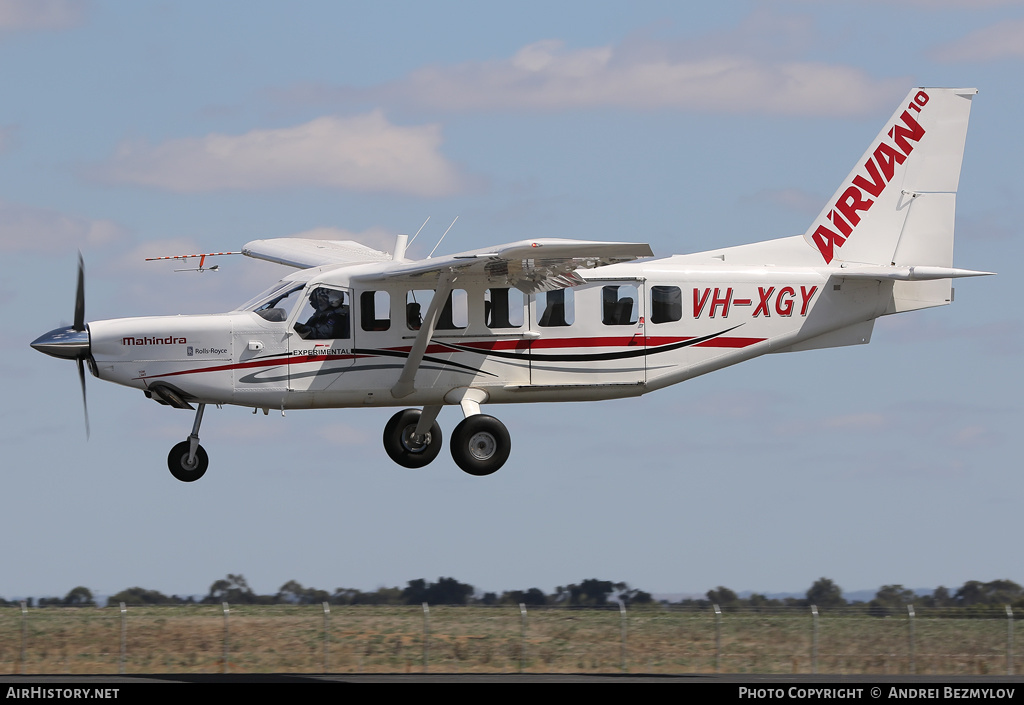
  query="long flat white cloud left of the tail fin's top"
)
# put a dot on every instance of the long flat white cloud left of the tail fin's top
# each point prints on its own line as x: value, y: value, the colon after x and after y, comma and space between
x: 719, y: 76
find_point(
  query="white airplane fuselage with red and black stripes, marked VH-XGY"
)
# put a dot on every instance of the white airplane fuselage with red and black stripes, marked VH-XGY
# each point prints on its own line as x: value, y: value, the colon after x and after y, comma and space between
x: 632, y: 328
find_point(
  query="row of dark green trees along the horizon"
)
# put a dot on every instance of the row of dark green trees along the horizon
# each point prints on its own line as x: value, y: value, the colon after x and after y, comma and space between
x: 826, y: 595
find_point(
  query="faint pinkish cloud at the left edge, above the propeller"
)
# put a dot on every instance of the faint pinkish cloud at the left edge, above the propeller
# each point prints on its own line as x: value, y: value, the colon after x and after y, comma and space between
x: 24, y: 229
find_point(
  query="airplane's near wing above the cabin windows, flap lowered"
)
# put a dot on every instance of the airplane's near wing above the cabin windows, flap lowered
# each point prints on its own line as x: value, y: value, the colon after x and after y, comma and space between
x: 530, y: 266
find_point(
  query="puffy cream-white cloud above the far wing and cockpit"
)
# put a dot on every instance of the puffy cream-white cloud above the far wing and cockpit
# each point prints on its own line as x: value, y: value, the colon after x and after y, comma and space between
x: 364, y: 153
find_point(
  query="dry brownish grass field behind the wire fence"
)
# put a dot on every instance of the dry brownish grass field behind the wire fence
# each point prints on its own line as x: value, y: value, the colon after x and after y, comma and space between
x: 363, y: 639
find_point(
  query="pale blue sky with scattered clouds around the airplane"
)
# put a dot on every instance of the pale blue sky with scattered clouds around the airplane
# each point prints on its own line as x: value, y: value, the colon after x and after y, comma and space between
x: 145, y: 129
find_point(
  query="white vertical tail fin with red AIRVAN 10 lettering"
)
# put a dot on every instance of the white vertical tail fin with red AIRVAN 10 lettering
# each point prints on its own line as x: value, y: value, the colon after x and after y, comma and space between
x: 899, y: 204
